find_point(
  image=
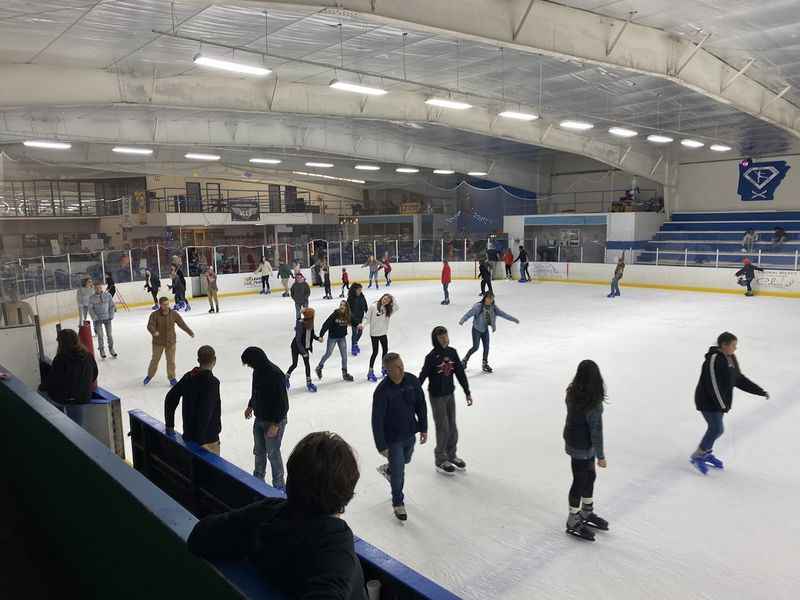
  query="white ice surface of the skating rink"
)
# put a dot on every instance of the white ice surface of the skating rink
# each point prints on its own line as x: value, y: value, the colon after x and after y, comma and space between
x: 497, y: 531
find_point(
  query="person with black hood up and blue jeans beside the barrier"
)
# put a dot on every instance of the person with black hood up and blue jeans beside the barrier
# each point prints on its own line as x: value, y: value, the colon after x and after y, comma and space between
x: 270, y: 404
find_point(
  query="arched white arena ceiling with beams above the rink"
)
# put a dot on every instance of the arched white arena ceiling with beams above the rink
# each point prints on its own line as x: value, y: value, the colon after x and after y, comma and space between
x: 106, y: 72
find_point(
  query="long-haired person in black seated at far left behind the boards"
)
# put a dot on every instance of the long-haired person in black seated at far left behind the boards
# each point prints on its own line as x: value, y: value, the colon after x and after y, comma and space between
x: 72, y: 376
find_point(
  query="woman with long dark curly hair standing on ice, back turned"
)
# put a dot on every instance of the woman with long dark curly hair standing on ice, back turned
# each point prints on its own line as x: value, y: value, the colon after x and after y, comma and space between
x: 583, y: 442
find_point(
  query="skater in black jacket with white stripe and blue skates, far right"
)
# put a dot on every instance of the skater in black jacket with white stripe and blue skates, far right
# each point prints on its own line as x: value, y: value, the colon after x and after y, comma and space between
x: 713, y: 396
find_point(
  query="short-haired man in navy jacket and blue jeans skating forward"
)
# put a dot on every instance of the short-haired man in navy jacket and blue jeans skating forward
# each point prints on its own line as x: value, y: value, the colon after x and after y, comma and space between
x: 398, y: 414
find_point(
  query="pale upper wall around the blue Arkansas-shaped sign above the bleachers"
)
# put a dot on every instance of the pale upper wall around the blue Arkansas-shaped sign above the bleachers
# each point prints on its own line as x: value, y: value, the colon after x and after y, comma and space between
x: 711, y: 186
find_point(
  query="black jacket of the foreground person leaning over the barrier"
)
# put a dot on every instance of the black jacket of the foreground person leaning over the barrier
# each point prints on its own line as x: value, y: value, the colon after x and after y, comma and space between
x: 305, y: 556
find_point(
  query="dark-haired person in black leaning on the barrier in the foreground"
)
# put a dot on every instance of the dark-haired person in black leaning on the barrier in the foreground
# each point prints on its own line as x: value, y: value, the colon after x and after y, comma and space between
x: 299, y: 545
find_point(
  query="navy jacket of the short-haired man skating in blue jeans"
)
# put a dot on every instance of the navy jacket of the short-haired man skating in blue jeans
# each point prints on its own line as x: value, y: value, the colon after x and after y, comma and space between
x: 398, y: 411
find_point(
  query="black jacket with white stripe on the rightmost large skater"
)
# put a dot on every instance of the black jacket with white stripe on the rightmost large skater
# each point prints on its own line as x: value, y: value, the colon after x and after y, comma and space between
x: 718, y: 376
